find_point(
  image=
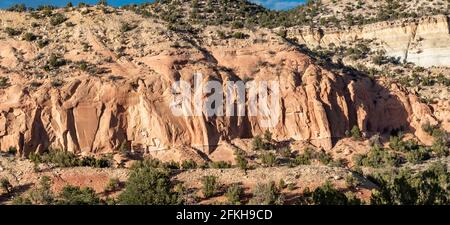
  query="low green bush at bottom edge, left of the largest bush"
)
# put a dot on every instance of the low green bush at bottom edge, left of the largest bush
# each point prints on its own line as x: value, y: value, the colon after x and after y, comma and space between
x: 71, y: 195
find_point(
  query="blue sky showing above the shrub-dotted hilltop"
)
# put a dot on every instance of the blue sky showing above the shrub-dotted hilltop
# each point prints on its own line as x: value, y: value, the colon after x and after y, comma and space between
x: 273, y: 4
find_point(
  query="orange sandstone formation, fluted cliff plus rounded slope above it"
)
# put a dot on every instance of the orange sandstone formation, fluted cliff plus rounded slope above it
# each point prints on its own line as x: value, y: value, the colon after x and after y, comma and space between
x: 130, y: 102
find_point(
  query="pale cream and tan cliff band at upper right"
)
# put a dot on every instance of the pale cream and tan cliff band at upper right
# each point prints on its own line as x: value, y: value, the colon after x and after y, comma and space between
x: 424, y: 41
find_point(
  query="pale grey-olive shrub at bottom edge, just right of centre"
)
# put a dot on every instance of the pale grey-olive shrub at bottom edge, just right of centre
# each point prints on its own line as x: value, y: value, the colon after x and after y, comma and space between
x: 267, y: 194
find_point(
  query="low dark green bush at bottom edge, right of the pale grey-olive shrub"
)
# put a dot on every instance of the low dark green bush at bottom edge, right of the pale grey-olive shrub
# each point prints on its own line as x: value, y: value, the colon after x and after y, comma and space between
x: 327, y: 195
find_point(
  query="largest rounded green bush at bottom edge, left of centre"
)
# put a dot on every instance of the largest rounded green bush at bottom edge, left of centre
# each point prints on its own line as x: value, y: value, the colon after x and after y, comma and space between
x: 148, y: 185
